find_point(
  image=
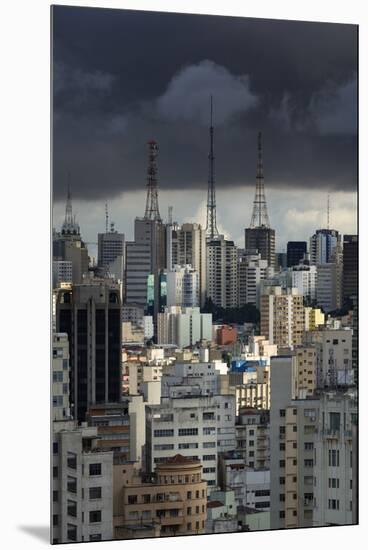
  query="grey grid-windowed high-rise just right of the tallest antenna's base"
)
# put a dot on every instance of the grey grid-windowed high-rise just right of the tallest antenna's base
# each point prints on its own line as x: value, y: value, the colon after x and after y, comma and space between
x: 222, y: 272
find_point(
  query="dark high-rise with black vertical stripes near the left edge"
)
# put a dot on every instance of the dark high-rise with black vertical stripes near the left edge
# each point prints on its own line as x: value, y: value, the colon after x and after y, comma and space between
x: 90, y: 314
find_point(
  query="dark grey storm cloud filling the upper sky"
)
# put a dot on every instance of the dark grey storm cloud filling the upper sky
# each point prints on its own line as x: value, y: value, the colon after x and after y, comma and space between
x: 122, y: 78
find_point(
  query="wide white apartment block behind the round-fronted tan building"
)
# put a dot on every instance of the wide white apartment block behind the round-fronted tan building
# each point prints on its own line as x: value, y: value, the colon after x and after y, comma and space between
x: 194, y: 426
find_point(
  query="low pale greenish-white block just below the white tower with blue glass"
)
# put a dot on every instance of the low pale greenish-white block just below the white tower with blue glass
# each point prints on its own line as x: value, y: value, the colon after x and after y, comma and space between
x: 183, y: 327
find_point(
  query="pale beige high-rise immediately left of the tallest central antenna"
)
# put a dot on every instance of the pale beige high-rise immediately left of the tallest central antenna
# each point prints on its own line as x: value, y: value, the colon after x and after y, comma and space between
x: 187, y: 246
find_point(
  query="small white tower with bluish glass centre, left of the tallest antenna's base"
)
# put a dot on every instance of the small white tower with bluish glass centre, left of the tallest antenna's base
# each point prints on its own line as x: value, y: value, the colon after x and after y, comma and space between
x: 183, y: 288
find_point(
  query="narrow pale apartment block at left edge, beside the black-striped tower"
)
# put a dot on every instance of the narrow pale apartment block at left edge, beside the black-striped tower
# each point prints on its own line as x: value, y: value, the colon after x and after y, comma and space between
x: 60, y: 377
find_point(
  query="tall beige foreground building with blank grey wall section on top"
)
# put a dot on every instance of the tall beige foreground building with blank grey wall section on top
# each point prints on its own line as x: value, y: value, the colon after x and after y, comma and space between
x: 292, y: 428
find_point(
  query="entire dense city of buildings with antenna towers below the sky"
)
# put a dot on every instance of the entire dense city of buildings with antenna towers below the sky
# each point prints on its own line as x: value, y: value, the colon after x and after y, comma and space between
x: 176, y: 413
